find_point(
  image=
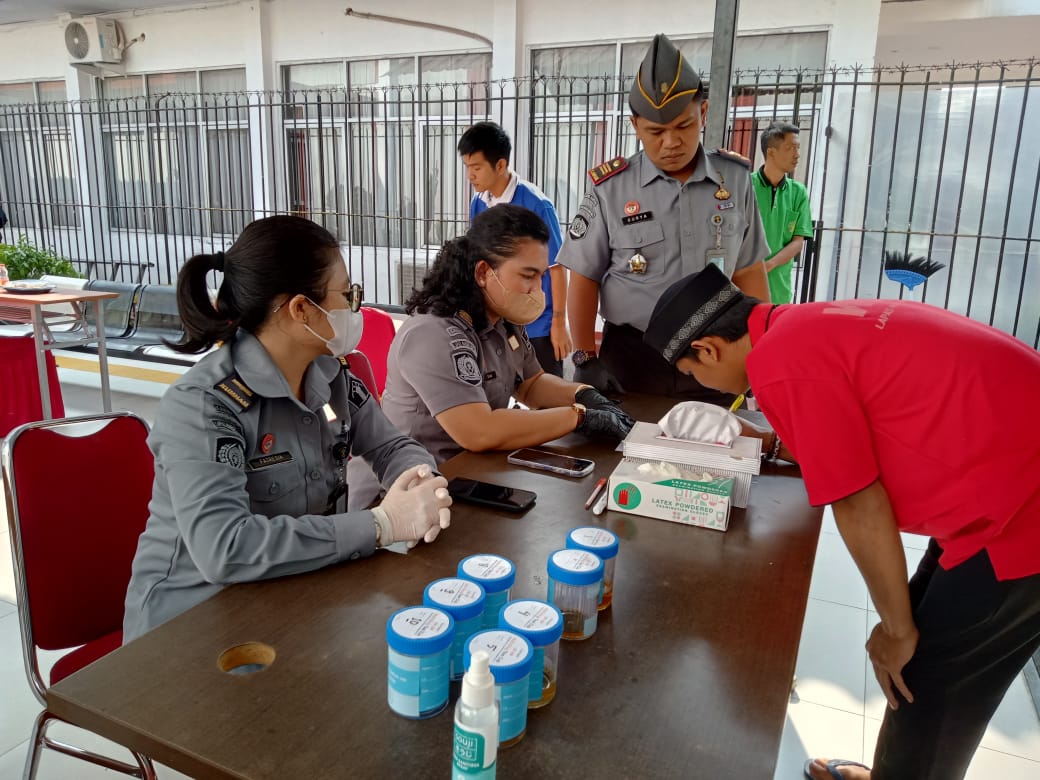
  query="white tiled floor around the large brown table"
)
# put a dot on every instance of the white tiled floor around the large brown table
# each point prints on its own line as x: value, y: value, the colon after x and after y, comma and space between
x: 836, y: 713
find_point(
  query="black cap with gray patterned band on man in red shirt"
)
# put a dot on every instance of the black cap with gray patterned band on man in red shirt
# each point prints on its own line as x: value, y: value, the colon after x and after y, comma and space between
x: 687, y: 309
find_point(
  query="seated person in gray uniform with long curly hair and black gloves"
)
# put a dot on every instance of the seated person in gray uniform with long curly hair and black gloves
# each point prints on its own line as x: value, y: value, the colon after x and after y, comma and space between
x: 457, y: 362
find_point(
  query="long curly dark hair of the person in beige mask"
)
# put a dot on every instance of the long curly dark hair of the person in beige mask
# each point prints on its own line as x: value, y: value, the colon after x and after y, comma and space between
x: 495, y: 237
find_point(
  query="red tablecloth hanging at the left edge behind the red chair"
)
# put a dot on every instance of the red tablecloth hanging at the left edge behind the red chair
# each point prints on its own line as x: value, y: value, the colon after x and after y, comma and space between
x: 20, y: 384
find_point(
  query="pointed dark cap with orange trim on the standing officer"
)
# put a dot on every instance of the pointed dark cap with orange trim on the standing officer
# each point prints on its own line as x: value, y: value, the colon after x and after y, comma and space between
x: 666, y: 84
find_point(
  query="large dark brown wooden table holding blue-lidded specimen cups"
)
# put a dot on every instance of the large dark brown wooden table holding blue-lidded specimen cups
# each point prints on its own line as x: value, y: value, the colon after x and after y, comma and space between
x: 688, y: 675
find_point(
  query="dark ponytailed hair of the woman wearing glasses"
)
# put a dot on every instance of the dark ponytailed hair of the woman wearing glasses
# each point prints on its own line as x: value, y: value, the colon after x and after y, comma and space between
x: 273, y: 257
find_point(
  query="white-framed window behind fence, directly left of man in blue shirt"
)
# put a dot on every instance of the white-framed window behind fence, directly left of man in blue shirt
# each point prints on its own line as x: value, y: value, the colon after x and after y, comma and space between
x: 368, y: 144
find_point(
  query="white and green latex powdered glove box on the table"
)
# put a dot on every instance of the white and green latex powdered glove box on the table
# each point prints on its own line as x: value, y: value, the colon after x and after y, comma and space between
x: 688, y: 499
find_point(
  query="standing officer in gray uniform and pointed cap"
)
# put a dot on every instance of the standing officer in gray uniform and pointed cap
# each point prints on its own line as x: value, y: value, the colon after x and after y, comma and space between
x: 652, y: 220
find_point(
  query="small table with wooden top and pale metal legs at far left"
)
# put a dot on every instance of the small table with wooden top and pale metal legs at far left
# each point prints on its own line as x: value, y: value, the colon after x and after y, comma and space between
x: 35, y: 305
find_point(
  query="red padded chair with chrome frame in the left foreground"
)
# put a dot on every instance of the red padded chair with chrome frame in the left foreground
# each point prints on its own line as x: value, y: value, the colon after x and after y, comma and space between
x: 73, y: 541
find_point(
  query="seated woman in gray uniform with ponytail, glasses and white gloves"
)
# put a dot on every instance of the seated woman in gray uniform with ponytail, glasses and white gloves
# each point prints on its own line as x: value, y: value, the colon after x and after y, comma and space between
x: 251, y: 445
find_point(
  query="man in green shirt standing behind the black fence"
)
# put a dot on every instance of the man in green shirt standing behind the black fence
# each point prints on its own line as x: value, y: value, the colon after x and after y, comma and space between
x: 784, y: 204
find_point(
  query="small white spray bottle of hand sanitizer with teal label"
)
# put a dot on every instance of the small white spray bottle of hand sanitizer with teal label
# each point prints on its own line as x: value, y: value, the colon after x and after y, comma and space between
x: 477, y: 723
